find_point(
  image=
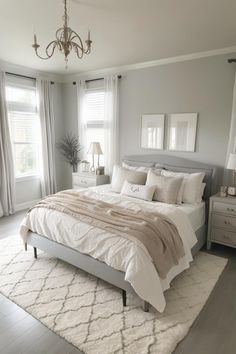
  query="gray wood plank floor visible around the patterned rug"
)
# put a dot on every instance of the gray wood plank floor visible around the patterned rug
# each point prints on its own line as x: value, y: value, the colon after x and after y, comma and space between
x: 214, y: 331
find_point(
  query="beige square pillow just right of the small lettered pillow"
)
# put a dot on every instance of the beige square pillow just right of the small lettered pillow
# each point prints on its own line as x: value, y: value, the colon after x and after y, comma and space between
x: 167, y: 188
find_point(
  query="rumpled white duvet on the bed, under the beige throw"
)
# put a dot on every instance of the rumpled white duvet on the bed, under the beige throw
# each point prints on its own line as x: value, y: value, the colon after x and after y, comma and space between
x: 116, y: 251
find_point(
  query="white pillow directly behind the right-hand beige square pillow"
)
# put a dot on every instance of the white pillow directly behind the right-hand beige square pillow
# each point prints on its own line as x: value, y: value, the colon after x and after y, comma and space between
x: 191, y: 186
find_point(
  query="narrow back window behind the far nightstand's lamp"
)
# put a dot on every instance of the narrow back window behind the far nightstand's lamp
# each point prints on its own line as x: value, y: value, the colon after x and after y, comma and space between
x: 94, y: 118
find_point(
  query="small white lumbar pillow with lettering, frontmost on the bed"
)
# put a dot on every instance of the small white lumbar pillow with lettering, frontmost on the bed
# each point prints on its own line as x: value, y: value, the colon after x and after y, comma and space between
x: 138, y: 191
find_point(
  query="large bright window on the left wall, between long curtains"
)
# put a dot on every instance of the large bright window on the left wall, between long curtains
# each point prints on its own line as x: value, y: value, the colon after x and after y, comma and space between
x: 24, y: 126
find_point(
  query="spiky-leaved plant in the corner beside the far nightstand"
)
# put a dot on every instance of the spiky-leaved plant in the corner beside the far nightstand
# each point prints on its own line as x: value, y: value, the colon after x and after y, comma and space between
x: 70, y: 147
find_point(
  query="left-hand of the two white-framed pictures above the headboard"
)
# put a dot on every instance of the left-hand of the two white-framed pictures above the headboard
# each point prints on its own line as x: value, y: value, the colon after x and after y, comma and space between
x: 152, y: 131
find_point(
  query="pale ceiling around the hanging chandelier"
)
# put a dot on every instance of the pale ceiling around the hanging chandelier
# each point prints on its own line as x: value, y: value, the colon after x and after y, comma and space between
x: 123, y: 31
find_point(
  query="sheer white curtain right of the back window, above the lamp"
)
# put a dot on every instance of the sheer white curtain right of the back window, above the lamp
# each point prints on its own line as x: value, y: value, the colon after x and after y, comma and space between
x: 111, y: 123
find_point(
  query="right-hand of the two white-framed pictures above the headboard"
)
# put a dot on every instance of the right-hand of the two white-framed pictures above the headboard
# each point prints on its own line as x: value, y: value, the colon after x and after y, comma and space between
x: 182, y: 129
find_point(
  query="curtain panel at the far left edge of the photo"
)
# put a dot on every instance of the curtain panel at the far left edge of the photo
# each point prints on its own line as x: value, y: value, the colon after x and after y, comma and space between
x: 7, y: 178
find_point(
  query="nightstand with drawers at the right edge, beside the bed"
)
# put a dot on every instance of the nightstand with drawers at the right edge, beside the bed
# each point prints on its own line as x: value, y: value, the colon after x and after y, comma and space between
x: 222, y: 221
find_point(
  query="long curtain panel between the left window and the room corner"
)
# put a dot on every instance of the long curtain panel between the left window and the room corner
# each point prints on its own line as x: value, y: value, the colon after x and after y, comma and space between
x: 48, y: 180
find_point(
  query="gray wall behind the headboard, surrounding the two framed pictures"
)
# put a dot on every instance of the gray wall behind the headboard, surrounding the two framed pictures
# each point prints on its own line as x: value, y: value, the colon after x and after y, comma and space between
x: 203, y: 85
